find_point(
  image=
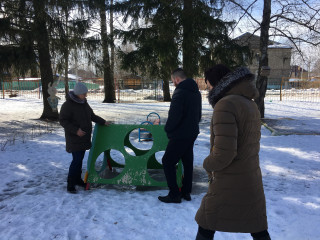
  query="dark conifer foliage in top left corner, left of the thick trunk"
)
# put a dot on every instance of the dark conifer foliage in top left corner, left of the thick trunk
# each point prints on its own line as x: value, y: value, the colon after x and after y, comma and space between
x: 16, y: 48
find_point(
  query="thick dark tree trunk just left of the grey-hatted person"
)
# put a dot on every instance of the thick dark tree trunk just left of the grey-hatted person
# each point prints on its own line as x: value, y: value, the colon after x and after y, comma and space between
x: 44, y: 57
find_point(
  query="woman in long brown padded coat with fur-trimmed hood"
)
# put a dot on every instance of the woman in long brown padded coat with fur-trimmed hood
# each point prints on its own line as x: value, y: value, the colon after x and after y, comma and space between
x: 235, y: 201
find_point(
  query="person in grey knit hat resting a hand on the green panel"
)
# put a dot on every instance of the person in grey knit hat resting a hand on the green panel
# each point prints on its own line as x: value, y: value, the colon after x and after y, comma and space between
x: 76, y: 118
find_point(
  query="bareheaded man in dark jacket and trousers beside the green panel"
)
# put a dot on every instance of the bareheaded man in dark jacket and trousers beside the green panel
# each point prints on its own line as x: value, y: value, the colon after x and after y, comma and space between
x: 182, y: 129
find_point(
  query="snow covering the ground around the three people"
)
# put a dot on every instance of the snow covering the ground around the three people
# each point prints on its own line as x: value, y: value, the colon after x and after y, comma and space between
x: 34, y: 203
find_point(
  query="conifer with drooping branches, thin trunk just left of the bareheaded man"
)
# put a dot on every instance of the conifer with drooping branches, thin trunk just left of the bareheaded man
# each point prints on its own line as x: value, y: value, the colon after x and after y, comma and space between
x: 154, y: 30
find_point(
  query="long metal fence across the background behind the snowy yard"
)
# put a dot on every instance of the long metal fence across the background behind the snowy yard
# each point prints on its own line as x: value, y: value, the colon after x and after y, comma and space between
x: 136, y: 90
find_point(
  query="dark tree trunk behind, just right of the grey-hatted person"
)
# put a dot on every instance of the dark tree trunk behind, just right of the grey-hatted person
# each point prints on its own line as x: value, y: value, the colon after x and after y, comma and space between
x: 109, y: 94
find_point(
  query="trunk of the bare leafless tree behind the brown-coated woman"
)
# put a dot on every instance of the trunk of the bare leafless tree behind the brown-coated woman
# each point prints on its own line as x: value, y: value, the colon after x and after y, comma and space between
x: 262, y: 81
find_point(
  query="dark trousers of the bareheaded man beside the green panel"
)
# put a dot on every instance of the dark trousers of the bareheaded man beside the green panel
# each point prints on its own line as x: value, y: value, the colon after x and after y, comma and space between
x: 176, y: 150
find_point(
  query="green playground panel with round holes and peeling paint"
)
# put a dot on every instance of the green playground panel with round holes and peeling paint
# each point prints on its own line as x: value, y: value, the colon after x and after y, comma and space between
x: 116, y: 136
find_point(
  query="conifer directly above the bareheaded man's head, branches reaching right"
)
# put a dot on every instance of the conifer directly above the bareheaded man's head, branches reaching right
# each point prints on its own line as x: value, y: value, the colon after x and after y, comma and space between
x: 206, y: 38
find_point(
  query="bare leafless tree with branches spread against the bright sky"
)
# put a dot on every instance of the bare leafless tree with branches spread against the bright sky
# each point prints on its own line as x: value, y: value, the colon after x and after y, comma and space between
x: 297, y: 21
